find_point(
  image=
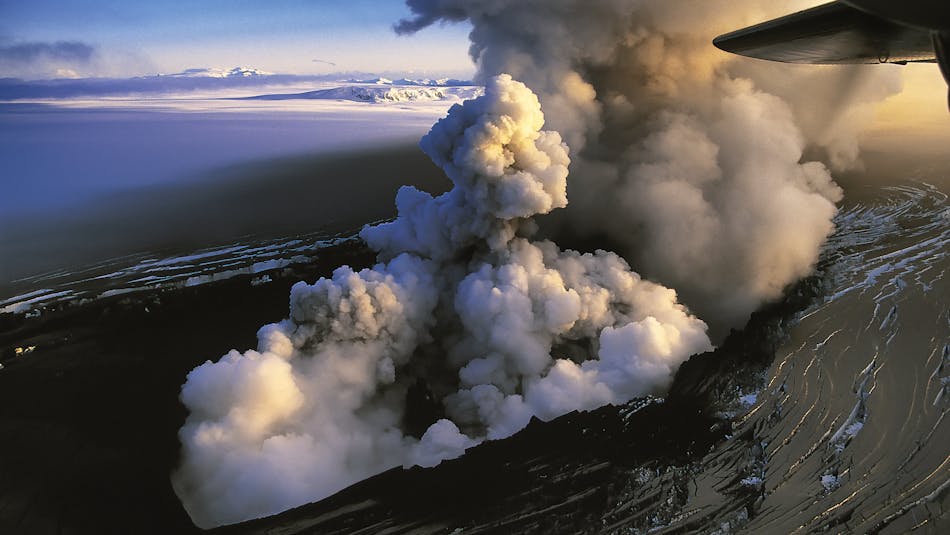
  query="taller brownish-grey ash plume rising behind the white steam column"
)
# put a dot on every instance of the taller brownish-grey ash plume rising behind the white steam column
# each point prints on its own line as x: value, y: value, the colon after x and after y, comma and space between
x: 687, y: 160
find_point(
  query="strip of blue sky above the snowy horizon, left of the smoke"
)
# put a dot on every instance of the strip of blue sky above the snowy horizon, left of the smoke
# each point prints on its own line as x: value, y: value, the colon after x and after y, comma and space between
x: 46, y: 38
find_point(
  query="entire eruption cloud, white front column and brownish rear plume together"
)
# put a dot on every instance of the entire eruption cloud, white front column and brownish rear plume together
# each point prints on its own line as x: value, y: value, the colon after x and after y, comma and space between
x: 681, y: 160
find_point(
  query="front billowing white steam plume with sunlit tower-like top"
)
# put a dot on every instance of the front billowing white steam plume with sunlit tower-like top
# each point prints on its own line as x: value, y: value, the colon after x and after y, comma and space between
x: 499, y: 327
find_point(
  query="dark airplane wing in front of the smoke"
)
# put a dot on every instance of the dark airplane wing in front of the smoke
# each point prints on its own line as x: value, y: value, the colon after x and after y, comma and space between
x: 833, y: 33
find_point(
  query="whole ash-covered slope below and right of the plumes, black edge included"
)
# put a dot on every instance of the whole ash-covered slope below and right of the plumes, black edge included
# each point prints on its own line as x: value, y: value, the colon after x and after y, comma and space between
x: 743, y: 430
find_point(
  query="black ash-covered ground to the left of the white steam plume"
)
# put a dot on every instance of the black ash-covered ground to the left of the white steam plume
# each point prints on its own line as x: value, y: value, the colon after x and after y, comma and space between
x: 89, y: 415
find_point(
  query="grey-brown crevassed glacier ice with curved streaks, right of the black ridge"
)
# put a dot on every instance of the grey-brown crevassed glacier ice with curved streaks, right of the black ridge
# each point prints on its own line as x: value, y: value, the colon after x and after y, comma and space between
x: 887, y: 262
